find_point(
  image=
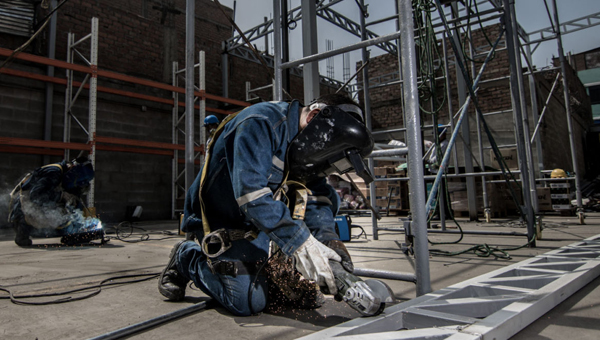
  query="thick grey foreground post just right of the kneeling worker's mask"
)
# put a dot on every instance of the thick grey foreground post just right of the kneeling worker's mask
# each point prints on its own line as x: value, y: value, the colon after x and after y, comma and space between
x: 415, y: 147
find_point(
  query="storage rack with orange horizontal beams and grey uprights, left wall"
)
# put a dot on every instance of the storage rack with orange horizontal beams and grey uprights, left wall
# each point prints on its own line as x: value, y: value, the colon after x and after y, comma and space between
x: 97, y: 142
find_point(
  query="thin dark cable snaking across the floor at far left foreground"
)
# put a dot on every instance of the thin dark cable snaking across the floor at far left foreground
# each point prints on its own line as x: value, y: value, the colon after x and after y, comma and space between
x: 18, y: 299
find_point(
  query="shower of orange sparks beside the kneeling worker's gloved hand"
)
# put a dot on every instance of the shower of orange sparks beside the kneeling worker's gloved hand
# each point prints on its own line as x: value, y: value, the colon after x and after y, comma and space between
x: 288, y: 287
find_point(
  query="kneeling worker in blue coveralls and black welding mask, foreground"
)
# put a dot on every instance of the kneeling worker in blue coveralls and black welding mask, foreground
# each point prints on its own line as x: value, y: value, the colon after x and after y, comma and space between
x: 262, y: 194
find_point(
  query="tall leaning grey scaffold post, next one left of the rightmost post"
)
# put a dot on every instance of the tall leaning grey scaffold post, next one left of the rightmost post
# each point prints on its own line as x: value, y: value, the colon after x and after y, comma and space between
x: 516, y: 104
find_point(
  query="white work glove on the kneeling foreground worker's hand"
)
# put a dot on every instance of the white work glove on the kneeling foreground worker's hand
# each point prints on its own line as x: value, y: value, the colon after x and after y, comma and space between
x: 312, y: 261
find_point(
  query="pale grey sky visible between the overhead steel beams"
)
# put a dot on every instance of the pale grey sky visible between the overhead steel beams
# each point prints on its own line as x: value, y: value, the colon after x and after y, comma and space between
x: 531, y: 15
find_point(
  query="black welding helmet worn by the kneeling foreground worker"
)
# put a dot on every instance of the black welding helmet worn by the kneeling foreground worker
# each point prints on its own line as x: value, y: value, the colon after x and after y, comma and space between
x: 335, y: 140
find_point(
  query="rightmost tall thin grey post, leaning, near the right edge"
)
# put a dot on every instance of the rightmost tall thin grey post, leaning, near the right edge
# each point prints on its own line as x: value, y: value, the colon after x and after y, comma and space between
x: 563, y: 69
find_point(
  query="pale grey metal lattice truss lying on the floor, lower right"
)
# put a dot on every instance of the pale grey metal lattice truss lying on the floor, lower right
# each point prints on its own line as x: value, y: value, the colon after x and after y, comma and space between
x: 495, y: 305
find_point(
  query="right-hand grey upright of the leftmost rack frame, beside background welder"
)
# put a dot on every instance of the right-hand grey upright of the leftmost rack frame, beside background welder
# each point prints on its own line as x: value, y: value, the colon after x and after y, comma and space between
x: 93, y: 104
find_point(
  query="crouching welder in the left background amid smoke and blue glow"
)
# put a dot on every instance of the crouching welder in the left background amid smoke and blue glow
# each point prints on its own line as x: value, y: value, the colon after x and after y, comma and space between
x: 48, y: 202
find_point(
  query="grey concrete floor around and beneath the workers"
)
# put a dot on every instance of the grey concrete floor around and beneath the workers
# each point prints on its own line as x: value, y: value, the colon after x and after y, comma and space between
x: 48, y: 267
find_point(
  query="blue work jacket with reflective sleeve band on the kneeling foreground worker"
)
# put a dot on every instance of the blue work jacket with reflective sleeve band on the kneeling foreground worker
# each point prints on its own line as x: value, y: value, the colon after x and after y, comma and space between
x: 245, y: 169
